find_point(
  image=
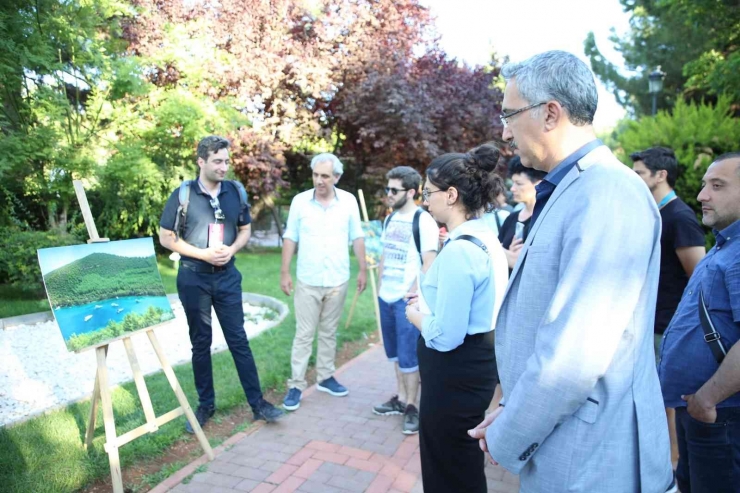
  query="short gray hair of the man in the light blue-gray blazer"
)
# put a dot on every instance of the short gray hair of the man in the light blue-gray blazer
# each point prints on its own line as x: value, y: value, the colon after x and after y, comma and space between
x: 558, y: 76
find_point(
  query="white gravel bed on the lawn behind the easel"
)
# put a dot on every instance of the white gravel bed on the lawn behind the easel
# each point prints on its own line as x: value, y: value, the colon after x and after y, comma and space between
x: 37, y: 373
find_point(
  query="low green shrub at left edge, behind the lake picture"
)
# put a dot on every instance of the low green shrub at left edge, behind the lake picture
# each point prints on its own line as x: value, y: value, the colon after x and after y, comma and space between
x: 19, y: 264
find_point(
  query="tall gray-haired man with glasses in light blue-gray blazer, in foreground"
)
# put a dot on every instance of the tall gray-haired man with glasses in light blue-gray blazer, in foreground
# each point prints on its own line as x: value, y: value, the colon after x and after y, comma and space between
x: 582, y: 407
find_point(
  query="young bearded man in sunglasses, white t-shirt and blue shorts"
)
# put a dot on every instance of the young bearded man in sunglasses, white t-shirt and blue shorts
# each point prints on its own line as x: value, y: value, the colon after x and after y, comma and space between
x: 410, y: 244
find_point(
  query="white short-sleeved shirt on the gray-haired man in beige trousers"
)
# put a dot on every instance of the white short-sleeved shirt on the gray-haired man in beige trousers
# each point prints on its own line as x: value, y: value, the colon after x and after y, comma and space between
x: 323, y: 235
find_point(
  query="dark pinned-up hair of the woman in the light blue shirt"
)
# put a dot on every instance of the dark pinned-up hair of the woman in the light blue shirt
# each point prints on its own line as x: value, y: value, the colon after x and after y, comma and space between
x: 472, y: 174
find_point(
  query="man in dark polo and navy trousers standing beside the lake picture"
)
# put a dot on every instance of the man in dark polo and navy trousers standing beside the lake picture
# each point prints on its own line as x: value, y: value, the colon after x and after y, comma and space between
x: 215, y: 229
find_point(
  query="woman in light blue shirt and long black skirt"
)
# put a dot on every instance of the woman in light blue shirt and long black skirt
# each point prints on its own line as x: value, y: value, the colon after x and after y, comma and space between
x: 456, y: 312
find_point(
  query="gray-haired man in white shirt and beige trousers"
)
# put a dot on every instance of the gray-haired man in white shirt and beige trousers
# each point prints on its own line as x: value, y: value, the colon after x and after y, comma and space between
x: 322, y: 223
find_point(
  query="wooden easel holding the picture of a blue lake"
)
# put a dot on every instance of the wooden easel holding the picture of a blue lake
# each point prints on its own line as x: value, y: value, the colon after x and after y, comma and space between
x: 102, y: 391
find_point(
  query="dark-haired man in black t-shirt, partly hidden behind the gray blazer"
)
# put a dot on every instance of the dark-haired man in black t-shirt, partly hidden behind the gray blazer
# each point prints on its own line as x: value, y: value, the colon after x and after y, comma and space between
x: 681, y: 243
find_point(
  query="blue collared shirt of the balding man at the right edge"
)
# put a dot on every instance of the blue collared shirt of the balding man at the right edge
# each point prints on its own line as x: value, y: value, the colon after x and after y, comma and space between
x: 687, y: 361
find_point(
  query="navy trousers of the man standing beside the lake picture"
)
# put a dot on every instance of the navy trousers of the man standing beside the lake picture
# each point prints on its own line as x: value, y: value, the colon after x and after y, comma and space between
x: 222, y: 290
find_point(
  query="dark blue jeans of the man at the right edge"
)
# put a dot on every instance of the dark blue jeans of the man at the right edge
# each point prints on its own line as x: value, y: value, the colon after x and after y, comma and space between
x: 709, y: 454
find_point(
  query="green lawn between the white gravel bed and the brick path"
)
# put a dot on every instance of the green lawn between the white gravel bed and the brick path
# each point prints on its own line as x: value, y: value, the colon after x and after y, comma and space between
x: 46, y: 454
